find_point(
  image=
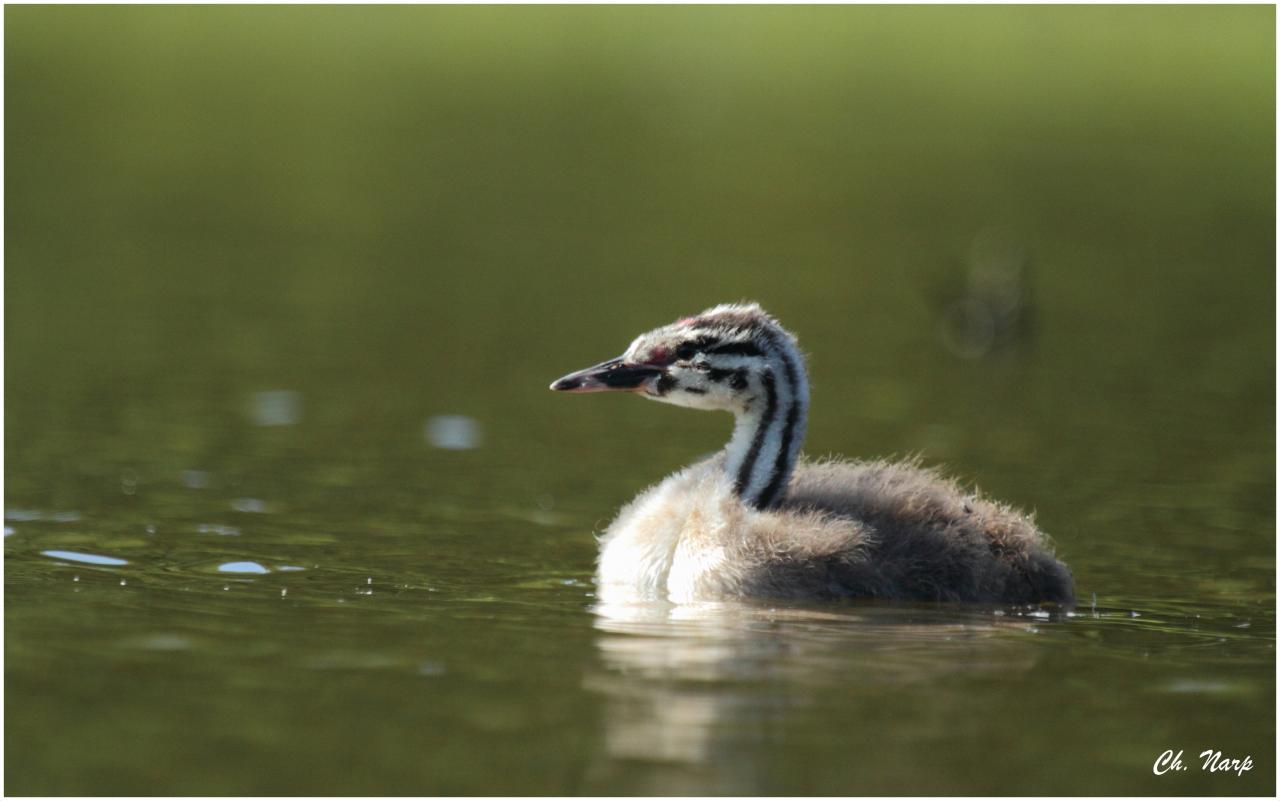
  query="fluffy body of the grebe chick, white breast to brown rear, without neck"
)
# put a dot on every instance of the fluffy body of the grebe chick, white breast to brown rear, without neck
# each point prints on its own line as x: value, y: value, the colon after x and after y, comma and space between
x: 884, y: 530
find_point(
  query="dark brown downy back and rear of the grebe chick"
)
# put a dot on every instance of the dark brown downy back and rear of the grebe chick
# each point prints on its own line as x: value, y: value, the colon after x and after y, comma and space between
x: 911, y: 534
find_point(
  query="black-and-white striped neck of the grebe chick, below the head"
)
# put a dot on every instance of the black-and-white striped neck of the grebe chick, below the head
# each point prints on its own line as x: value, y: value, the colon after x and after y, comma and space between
x: 769, y: 433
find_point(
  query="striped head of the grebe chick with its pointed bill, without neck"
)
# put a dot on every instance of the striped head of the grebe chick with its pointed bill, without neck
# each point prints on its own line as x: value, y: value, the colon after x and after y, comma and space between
x: 730, y: 359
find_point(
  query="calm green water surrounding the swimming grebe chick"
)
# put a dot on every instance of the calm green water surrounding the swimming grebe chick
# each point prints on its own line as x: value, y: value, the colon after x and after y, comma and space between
x: 289, y: 509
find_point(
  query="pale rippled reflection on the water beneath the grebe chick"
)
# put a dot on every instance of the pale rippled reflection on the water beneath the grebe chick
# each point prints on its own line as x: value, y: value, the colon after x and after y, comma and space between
x: 696, y: 694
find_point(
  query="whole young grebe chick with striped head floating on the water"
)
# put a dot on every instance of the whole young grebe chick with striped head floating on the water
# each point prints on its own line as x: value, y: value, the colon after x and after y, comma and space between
x: 760, y: 521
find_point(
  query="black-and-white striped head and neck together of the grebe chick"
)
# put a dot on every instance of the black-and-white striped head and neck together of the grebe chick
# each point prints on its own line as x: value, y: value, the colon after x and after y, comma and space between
x: 735, y: 359
